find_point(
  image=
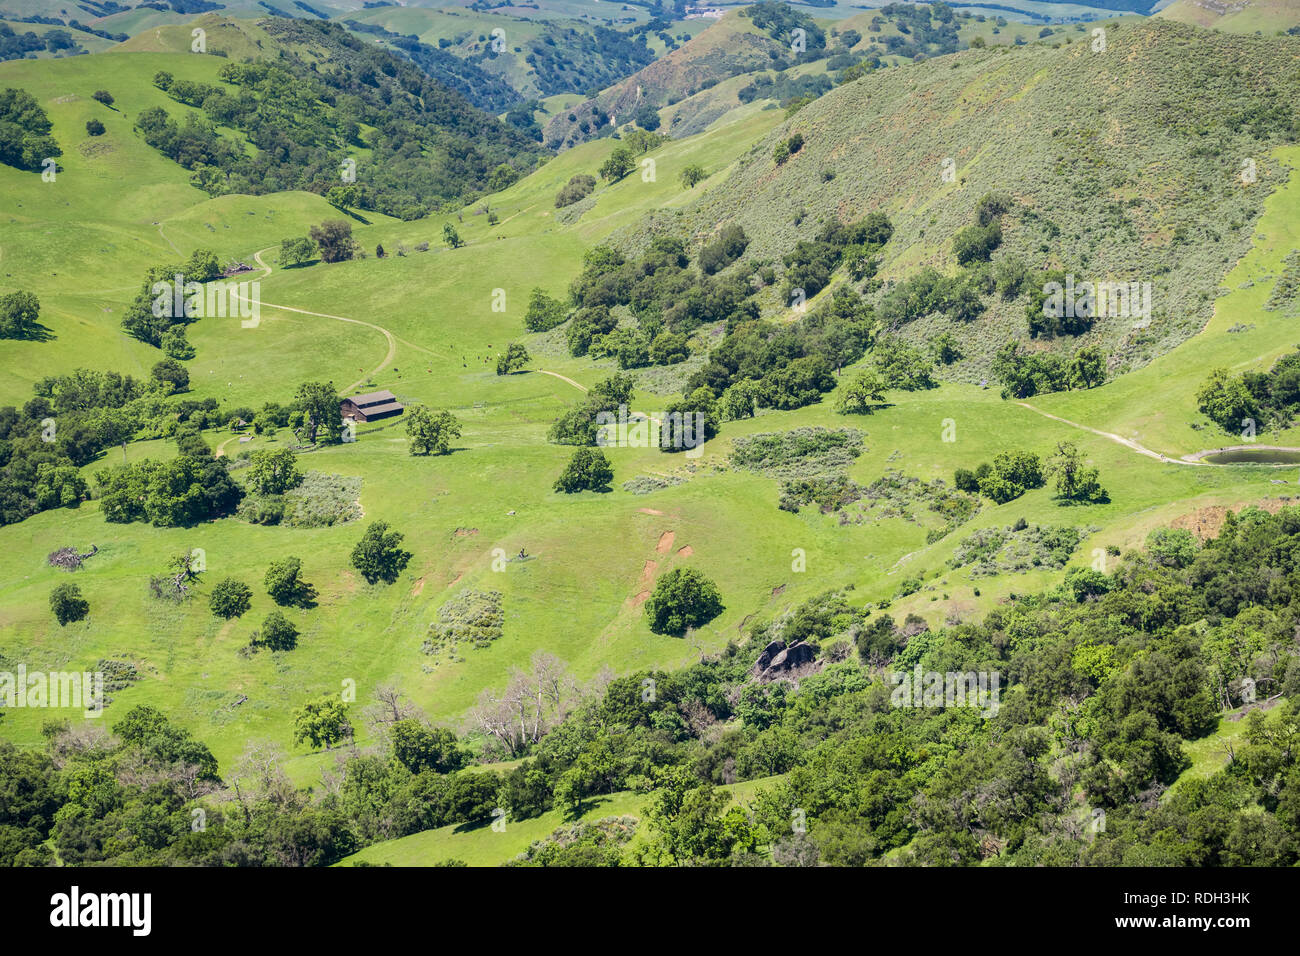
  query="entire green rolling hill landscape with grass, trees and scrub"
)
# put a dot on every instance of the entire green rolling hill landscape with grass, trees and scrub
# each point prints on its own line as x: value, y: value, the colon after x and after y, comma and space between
x: 885, y: 486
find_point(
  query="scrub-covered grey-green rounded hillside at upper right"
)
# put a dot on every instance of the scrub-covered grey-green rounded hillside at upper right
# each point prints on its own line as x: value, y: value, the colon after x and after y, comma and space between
x: 1108, y: 194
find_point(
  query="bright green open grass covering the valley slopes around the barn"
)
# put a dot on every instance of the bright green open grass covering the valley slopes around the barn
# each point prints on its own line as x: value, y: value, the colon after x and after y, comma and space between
x: 84, y: 244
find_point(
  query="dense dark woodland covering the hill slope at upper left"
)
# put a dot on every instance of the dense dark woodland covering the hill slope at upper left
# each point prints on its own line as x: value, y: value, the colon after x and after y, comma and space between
x: 431, y: 146
